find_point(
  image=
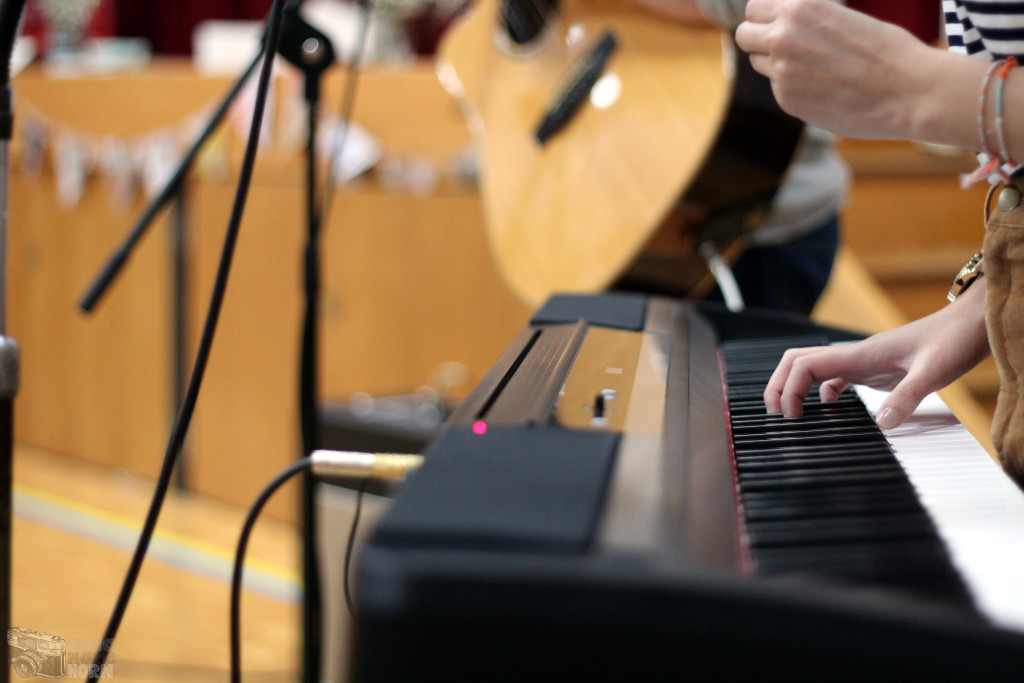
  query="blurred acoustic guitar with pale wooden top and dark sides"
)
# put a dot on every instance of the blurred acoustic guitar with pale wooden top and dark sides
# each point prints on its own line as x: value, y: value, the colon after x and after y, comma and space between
x: 612, y: 143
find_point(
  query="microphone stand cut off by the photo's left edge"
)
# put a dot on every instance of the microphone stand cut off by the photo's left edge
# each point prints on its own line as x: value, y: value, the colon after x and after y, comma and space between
x: 11, y: 17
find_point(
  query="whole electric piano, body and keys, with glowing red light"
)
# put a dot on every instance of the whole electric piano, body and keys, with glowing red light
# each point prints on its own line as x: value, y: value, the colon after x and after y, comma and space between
x: 578, y: 518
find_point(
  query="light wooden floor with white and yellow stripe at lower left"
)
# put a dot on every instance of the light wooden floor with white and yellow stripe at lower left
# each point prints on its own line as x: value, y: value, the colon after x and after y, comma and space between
x: 75, y: 527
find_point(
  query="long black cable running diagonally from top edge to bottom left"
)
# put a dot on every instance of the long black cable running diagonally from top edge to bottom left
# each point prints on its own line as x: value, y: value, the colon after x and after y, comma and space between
x: 206, y: 343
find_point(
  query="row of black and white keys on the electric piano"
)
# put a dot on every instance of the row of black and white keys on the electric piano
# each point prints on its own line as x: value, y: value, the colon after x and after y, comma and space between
x: 923, y: 507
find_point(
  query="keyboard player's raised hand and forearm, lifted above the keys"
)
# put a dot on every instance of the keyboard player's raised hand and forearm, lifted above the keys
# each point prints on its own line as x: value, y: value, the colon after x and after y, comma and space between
x: 861, y: 77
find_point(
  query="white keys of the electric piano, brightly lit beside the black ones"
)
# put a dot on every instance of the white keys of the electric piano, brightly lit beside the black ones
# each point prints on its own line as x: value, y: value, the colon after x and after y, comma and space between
x: 977, y: 509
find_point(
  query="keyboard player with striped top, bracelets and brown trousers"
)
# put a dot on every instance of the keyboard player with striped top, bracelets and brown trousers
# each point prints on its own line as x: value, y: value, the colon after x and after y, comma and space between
x: 863, y: 78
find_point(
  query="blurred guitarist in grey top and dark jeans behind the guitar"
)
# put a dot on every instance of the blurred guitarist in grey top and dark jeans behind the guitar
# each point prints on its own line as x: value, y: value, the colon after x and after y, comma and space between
x: 789, y: 260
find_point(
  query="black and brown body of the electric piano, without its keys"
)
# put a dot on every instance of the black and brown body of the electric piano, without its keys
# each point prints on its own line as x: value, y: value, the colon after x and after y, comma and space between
x: 579, y: 519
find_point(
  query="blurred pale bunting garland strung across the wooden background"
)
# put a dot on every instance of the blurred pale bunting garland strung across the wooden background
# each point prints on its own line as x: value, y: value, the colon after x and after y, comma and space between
x: 144, y: 164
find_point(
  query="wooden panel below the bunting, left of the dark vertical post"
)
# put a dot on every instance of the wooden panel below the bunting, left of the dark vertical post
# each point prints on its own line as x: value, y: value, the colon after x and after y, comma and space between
x: 96, y: 387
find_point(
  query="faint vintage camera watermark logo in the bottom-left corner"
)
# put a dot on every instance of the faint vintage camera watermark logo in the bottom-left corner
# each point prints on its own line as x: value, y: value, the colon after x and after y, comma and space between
x: 35, y: 654
